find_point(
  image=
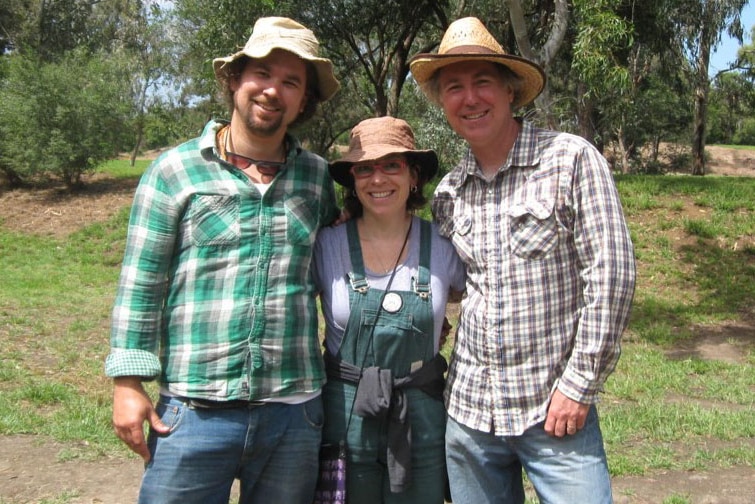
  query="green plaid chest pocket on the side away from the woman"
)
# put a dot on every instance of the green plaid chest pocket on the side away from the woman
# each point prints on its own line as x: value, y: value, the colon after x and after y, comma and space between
x: 214, y: 220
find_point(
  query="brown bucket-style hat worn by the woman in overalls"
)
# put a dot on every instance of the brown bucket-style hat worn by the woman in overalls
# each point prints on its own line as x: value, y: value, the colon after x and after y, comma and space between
x: 379, y: 137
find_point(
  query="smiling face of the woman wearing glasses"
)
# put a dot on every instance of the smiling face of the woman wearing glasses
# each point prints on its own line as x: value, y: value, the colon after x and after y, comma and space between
x: 383, y: 185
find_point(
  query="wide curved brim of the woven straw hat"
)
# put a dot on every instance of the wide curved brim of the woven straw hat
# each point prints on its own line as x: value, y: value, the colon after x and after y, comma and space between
x: 424, y: 65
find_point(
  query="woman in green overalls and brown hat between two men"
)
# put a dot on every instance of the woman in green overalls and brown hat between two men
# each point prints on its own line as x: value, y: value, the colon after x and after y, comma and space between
x: 385, y: 277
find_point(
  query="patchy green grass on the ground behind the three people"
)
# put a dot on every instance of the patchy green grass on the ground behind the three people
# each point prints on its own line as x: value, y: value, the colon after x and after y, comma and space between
x: 695, y: 244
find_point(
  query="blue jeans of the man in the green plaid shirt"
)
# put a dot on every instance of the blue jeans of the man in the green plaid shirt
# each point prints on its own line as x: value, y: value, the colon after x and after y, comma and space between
x: 272, y: 449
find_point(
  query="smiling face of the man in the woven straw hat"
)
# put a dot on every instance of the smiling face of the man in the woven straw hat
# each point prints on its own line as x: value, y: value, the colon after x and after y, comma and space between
x: 476, y: 100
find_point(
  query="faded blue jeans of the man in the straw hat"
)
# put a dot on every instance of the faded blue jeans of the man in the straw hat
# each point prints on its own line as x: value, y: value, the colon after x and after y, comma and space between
x: 568, y: 470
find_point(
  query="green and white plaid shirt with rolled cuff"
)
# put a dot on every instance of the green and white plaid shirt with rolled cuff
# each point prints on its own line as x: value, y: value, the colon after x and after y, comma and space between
x: 216, y: 295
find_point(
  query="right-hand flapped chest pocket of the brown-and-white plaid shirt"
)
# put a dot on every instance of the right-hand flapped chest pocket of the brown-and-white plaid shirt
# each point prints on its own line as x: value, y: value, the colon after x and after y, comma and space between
x: 533, y: 228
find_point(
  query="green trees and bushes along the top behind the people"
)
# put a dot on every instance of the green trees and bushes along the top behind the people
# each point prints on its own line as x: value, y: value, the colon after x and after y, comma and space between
x: 81, y: 80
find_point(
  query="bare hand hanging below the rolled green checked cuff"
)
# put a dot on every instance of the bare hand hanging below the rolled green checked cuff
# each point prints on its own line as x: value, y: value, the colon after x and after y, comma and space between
x: 131, y: 408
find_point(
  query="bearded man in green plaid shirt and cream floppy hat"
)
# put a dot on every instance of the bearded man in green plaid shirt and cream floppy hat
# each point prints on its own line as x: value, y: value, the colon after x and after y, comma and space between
x: 215, y: 299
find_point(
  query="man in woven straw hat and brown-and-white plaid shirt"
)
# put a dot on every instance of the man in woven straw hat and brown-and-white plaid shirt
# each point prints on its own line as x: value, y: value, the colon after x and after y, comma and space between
x: 536, y: 217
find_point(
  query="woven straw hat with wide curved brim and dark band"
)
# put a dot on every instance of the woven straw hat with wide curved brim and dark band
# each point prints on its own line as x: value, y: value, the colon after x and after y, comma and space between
x: 467, y: 39
